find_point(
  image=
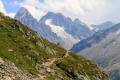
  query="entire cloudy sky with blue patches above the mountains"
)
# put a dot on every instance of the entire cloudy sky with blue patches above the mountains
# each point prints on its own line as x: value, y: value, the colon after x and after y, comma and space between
x: 88, y: 11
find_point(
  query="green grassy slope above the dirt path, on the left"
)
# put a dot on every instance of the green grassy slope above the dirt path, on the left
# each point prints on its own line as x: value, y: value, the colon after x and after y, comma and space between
x: 11, y: 37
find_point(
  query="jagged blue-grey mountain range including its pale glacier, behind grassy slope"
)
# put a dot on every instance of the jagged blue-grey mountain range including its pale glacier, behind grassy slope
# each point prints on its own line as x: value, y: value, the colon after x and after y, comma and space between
x: 55, y: 27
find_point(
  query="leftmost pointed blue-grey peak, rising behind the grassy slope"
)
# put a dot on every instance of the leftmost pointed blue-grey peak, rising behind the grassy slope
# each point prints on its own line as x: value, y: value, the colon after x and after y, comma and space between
x: 24, y: 16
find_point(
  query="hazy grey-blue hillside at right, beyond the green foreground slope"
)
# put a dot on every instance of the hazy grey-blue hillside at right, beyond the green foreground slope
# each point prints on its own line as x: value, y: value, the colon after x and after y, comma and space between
x: 104, y: 49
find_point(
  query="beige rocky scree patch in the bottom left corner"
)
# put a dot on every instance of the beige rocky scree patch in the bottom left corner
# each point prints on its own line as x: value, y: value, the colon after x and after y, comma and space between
x: 8, y: 71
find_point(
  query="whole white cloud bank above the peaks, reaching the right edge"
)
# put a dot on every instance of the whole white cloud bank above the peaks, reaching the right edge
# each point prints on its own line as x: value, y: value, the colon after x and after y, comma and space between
x: 89, y: 11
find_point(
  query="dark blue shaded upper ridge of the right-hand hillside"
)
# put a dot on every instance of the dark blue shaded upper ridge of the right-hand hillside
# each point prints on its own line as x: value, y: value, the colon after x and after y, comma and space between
x: 96, y: 38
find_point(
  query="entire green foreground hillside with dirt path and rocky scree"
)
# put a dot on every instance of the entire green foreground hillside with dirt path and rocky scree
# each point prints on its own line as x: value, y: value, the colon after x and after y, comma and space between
x: 25, y: 55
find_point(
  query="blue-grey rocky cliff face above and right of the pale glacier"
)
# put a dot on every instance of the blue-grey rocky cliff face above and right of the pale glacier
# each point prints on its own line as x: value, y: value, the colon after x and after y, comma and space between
x: 75, y: 28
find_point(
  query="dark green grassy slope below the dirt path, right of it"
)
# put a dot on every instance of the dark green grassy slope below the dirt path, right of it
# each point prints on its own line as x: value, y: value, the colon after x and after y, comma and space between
x: 74, y: 66
